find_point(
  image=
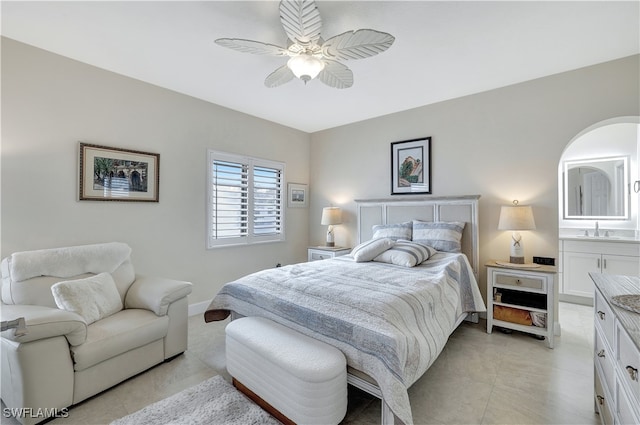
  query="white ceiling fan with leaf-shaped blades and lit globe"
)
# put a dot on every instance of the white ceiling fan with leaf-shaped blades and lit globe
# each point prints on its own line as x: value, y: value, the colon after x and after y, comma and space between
x: 309, y: 55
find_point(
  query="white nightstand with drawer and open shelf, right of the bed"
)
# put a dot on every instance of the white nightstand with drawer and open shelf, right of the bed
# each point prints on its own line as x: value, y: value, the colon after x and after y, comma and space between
x: 519, y: 294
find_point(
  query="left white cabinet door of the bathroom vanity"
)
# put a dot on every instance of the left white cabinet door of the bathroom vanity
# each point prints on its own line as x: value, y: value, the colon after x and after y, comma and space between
x: 577, y: 266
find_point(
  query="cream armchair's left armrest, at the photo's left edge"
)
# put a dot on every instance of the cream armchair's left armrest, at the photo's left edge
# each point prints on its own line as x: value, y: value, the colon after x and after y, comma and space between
x: 44, y: 322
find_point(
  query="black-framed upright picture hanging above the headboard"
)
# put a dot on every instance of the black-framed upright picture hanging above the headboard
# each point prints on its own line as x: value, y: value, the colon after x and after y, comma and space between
x: 411, y: 166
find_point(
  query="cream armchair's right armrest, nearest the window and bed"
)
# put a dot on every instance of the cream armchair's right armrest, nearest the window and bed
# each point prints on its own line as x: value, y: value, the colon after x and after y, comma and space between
x: 155, y: 294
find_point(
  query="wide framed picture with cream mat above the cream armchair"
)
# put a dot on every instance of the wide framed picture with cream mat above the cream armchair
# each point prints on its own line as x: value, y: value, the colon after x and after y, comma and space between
x: 114, y: 174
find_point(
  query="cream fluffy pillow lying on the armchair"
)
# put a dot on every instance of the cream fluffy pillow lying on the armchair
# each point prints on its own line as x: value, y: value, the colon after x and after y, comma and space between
x: 93, y: 298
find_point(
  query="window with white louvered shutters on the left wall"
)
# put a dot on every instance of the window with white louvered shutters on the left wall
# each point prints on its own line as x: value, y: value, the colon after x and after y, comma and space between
x: 245, y: 200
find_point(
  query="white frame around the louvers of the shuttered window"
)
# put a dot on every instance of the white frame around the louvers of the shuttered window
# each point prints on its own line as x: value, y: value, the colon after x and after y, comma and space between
x: 251, y: 163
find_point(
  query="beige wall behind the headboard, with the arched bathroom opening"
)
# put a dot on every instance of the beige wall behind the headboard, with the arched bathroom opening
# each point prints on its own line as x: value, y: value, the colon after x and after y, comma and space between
x: 503, y: 144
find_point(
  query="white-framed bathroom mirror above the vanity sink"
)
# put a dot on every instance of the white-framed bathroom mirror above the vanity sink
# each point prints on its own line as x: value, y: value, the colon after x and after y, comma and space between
x: 596, y: 188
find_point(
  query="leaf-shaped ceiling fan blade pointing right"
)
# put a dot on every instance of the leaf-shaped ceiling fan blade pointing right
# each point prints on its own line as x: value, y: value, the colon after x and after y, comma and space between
x: 357, y: 44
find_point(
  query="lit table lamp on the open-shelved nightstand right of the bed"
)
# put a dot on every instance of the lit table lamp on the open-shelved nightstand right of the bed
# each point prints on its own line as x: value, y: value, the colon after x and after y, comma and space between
x: 516, y: 218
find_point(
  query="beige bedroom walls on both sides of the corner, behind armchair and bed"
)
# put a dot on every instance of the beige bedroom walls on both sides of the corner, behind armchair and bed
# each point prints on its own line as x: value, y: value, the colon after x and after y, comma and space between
x: 503, y: 144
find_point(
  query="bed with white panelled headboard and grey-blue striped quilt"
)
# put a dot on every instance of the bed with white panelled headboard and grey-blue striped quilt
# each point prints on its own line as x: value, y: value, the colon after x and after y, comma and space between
x: 390, y: 321
